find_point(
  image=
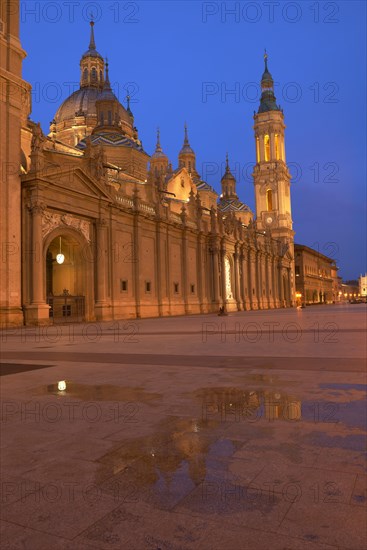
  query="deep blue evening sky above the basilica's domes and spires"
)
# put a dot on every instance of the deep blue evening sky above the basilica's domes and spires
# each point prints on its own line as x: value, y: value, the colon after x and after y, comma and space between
x: 201, y: 62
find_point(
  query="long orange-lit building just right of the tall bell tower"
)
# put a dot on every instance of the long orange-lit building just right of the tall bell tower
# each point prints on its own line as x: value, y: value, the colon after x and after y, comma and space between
x: 316, y: 276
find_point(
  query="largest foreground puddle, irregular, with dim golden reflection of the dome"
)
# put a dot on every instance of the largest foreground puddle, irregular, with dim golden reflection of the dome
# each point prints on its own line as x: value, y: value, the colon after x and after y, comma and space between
x: 162, y: 467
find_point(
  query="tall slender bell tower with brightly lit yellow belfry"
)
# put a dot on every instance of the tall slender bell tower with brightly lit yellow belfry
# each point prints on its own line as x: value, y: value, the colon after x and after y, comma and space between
x: 271, y: 176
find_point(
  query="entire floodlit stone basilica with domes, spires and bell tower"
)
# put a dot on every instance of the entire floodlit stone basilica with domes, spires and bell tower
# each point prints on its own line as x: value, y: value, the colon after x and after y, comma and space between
x: 94, y: 228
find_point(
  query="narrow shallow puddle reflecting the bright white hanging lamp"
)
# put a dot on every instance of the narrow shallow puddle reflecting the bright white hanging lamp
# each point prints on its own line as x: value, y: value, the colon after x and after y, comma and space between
x: 103, y: 392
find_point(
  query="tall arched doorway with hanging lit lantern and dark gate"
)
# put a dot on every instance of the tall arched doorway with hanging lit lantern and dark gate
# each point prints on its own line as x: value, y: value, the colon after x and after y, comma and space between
x: 67, y: 287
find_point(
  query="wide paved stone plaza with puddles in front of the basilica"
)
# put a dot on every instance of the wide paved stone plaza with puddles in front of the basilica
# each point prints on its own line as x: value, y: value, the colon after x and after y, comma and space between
x: 245, y: 431
